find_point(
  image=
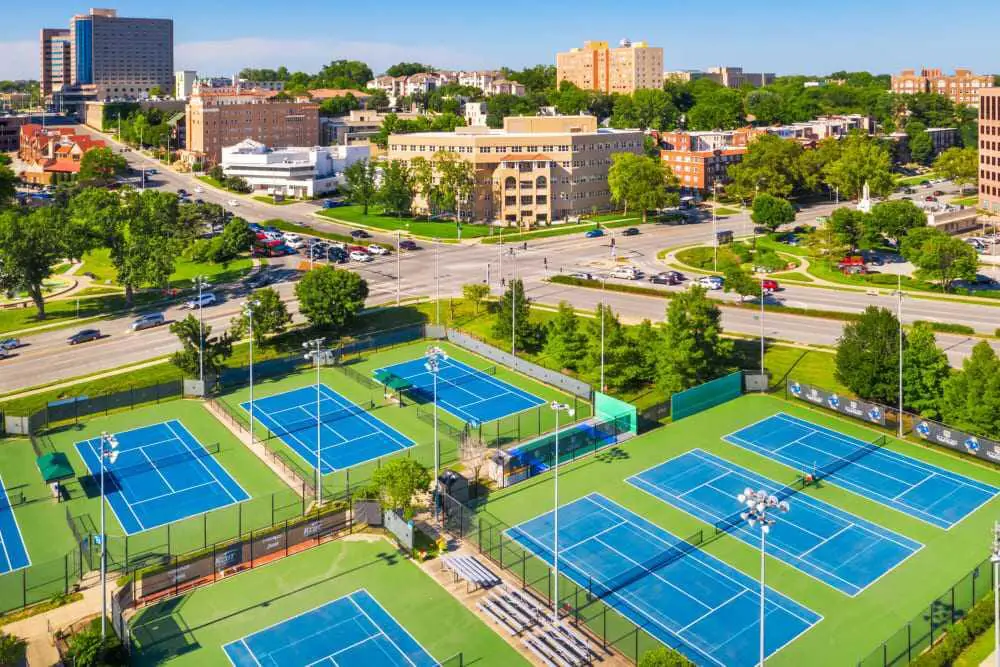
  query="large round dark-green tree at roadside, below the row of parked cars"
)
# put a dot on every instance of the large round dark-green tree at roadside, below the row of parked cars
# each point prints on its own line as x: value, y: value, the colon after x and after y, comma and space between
x: 331, y: 299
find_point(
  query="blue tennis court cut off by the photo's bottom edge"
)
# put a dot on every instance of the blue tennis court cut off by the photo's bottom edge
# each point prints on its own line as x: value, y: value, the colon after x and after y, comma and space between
x: 352, y: 631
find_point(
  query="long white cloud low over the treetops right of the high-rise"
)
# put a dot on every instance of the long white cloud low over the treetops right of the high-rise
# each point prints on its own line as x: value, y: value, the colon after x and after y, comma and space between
x: 227, y: 56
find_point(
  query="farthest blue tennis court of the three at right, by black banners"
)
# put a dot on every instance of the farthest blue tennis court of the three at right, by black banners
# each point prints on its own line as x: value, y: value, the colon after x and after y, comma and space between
x: 922, y: 490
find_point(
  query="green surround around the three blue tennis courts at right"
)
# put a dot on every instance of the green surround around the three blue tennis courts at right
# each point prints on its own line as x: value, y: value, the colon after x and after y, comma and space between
x: 867, y: 619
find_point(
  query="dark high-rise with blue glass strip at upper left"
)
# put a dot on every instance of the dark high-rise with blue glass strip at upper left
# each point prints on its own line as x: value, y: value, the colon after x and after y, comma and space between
x: 112, y: 56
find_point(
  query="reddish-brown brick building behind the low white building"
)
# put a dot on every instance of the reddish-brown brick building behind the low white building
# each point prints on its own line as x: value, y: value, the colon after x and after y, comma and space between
x: 219, y: 117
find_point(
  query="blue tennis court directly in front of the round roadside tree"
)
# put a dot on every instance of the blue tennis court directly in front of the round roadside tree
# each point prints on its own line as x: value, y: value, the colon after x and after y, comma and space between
x: 349, y: 435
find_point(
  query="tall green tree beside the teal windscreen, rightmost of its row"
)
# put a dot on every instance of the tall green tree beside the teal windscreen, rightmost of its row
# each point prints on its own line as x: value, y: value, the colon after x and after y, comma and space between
x: 692, y: 350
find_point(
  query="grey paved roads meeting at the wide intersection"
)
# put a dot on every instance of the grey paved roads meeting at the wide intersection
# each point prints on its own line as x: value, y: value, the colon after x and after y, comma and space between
x: 444, y: 268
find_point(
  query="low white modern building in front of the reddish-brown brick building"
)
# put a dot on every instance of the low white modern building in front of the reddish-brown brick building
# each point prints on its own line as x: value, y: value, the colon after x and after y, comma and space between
x: 292, y: 172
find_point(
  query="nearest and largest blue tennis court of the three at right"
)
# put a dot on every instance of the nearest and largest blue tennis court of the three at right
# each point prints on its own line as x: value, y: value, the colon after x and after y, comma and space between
x: 684, y: 597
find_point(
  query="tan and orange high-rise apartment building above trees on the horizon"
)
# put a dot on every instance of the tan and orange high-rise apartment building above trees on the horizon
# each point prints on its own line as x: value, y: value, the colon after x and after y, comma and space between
x: 624, y: 69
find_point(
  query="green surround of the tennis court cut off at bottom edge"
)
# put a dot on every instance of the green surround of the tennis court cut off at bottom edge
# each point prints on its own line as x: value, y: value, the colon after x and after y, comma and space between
x: 192, y: 629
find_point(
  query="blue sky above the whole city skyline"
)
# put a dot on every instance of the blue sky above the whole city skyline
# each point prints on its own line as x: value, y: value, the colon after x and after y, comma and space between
x: 784, y: 36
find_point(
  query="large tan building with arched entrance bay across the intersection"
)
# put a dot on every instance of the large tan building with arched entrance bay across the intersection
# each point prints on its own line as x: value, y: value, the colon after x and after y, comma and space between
x: 535, y: 170
